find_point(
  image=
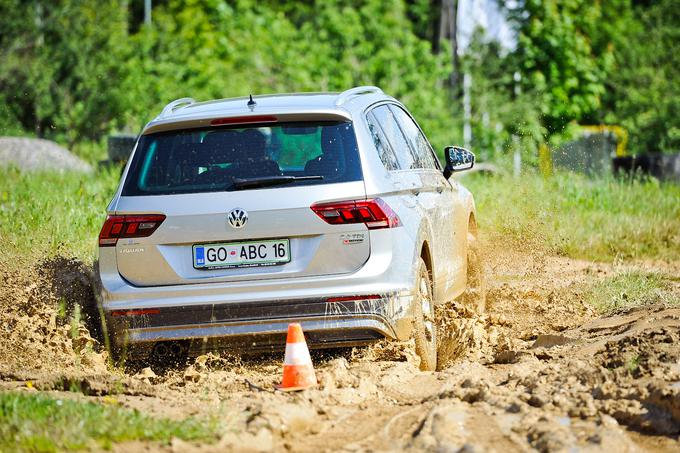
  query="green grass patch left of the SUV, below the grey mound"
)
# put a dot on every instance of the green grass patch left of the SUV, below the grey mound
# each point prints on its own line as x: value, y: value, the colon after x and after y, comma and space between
x: 45, y: 213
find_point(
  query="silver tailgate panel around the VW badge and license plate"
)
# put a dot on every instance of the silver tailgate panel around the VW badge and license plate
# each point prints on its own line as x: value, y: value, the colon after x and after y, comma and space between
x: 316, y: 247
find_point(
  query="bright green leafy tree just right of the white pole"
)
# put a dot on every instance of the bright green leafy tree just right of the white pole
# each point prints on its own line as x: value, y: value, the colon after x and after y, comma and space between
x: 557, y: 59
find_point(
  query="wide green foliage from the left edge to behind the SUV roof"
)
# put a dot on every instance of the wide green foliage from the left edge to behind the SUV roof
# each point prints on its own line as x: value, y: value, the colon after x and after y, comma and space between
x: 75, y: 72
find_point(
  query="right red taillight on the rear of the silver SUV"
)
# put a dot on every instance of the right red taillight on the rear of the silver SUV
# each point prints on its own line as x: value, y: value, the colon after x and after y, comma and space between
x: 374, y: 213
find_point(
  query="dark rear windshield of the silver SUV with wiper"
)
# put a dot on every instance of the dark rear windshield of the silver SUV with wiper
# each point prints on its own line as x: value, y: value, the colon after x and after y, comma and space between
x: 223, y: 159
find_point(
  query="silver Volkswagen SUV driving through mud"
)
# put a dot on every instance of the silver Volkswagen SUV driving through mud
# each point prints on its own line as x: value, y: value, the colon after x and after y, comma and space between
x: 236, y: 217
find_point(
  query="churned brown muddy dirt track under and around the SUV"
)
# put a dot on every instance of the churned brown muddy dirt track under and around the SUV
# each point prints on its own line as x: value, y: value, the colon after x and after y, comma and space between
x: 538, y: 371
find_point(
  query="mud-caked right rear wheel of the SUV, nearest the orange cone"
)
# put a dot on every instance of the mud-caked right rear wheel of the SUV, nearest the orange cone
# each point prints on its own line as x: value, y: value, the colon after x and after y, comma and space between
x: 424, y: 327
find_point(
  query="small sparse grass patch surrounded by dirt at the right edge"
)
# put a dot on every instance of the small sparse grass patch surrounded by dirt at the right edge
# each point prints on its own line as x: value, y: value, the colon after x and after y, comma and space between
x: 630, y: 289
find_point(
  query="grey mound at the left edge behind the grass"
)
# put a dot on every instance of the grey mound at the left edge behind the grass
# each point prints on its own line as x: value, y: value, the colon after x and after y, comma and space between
x: 38, y: 154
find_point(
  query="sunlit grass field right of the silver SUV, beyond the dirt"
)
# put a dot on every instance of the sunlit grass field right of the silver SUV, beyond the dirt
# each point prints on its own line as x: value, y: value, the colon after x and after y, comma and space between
x: 572, y: 215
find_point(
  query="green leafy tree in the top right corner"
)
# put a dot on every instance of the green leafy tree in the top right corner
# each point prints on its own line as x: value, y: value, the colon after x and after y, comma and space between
x: 643, y: 89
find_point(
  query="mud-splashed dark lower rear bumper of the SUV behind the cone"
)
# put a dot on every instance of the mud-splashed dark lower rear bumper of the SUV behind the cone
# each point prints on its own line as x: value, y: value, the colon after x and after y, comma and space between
x: 256, y: 326
